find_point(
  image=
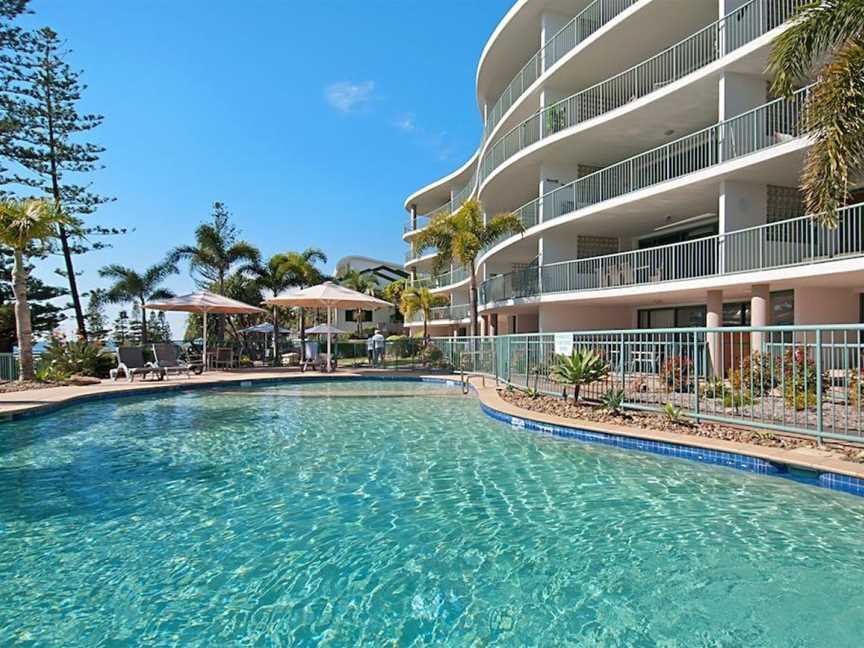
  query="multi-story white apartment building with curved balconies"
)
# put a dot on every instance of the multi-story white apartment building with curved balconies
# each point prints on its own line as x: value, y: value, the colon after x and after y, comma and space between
x: 655, y: 174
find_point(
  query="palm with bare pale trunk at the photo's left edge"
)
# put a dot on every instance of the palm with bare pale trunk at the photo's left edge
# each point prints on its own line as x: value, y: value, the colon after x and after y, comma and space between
x: 23, y: 225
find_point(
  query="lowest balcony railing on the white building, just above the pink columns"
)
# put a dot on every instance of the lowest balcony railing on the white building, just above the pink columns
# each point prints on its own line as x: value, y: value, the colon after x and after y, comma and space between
x: 798, y: 241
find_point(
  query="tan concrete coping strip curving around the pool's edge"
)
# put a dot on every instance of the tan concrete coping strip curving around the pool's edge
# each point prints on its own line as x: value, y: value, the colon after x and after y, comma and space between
x: 17, y: 404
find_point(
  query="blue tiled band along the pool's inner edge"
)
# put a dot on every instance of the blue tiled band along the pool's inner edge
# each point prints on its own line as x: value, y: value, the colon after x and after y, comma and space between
x: 829, y: 480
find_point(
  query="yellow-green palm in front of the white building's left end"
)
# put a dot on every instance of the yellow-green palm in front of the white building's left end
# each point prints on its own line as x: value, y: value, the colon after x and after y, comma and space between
x: 461, y: 236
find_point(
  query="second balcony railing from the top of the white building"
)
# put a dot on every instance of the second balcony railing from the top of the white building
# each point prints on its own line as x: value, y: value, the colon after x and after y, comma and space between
x: 734, y: 30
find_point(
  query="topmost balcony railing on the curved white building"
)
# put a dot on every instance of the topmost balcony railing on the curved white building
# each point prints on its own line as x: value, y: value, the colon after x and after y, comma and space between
x: 588, y: 21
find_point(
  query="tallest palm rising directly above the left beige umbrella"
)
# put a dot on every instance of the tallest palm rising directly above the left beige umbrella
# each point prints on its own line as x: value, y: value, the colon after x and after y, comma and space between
x: 215, y: 253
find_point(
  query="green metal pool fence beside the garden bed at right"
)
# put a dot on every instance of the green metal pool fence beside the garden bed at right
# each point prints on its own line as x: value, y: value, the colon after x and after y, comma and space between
x: 800, y: 379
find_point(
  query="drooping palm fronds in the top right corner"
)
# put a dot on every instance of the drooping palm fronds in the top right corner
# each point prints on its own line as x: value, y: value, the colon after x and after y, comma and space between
x: 826, y: 40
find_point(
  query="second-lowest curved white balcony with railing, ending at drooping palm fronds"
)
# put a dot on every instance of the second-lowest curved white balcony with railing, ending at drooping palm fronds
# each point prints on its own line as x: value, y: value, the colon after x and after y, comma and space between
x: 773, y: 124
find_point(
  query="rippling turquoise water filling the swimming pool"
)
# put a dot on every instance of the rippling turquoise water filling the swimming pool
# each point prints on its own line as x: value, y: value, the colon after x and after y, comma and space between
x: 397, y: 514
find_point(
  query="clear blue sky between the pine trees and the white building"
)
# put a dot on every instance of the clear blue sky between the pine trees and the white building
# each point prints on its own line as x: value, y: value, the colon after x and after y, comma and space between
x: 312, y: 120
